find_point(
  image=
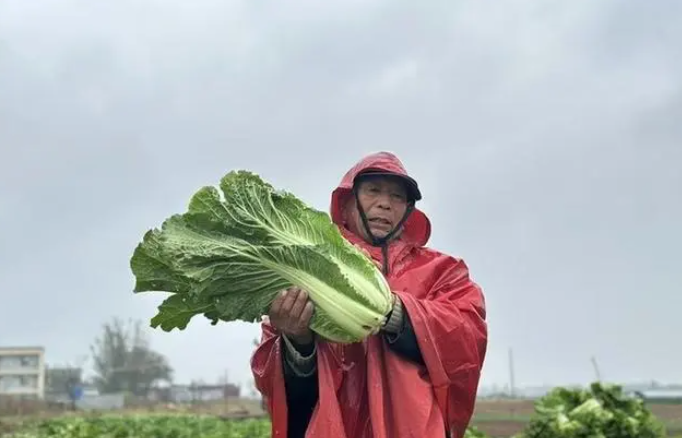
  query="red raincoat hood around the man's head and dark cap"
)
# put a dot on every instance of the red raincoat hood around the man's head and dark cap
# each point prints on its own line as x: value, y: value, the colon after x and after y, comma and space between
x: 417, y: 228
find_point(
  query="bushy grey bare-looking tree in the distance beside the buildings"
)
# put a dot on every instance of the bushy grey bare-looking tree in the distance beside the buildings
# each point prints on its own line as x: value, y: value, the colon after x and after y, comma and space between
x: 124, y: 360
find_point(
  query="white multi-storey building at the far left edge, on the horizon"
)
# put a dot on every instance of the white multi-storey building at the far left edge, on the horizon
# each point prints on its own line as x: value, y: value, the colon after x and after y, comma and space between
x: 22, y: 372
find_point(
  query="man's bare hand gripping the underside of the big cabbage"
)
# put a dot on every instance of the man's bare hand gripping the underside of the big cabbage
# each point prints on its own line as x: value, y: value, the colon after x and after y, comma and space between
x: 290, y: 313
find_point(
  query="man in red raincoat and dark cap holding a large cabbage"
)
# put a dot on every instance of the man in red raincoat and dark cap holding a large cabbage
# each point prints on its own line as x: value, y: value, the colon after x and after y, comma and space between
x: 418, y: 377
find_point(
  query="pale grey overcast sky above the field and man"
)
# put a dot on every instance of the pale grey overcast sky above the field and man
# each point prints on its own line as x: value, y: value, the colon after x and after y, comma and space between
x: 547, y: 137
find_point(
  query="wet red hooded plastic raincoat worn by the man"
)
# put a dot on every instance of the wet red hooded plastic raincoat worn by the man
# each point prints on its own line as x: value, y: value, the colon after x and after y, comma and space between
x: 365, y: 389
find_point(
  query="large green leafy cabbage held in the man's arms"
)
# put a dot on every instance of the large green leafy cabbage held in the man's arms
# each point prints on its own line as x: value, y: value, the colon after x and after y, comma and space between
x: 235, y: 248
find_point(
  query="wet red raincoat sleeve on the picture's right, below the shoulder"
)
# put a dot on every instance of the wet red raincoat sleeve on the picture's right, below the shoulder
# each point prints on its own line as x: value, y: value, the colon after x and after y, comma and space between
x: 452, y: 335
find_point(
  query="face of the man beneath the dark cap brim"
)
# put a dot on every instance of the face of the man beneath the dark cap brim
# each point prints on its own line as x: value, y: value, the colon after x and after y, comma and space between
x: 384, y: 201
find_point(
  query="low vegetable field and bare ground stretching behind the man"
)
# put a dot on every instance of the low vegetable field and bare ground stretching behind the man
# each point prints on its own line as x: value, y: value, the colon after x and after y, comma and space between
x: 240, y: 418
